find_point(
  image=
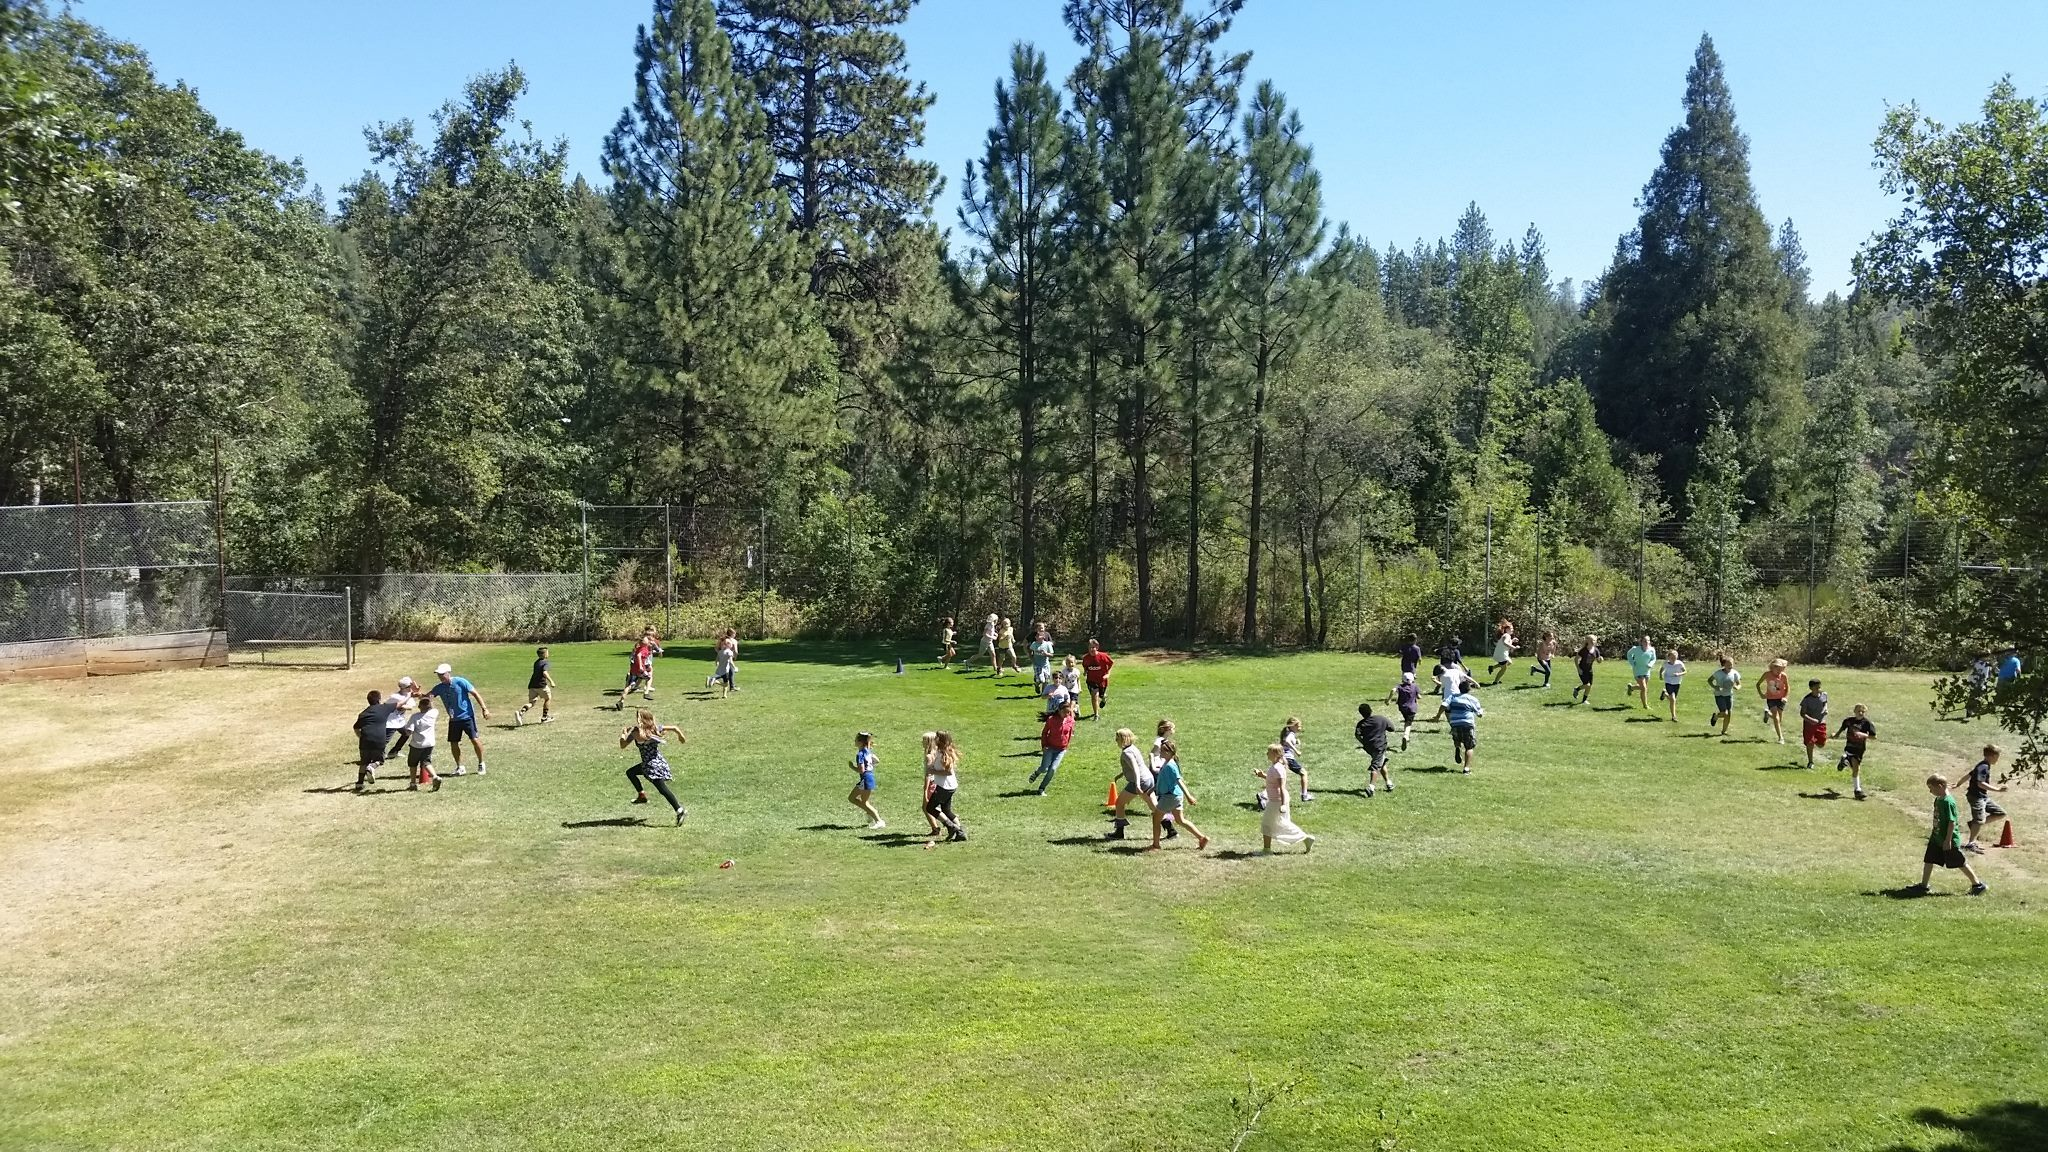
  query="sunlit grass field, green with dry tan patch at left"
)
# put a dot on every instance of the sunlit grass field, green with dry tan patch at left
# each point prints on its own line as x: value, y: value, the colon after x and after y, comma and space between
x: 1617, y: 934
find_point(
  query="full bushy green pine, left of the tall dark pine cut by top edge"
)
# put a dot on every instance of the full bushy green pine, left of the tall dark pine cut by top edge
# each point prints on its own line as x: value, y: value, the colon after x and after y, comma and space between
x: 703, y: 280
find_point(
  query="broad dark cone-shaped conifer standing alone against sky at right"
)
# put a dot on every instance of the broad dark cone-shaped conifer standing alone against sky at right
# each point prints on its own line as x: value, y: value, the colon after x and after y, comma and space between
x: 1699, y: 300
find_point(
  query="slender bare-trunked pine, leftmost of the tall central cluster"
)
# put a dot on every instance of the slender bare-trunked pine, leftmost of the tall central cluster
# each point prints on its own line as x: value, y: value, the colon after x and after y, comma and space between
x: 1011, y: 210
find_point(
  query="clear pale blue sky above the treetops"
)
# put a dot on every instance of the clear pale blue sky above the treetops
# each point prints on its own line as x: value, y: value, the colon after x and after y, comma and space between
x: 1539, y: 112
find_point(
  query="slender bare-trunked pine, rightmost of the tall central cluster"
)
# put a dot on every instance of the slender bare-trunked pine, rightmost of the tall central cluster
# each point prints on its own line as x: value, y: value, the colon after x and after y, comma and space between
x: 1281, y: 214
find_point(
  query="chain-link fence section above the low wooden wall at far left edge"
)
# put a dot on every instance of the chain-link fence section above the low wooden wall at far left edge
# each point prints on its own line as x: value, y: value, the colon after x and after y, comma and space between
x: 101, y: 571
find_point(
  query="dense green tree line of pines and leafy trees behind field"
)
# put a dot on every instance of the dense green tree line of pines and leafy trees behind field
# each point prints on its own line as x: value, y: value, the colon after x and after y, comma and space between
x: 1140, y: 384
